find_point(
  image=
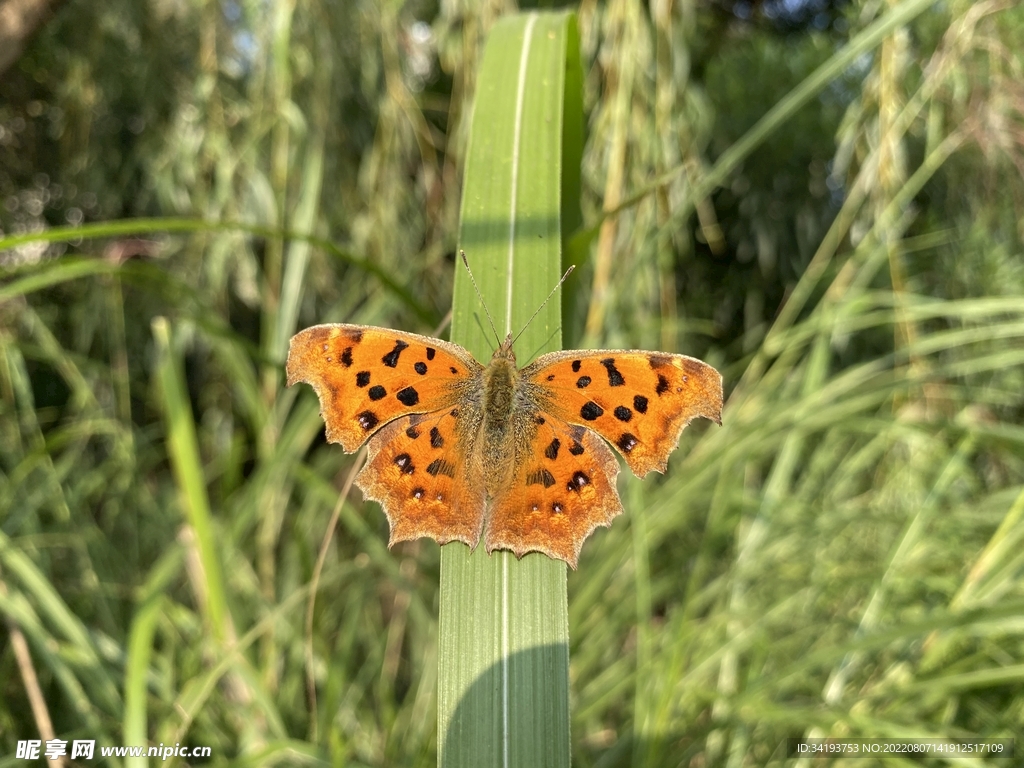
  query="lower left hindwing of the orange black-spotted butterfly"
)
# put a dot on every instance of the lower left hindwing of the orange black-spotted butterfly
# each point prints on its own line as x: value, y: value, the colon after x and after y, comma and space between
x: 418, y: 472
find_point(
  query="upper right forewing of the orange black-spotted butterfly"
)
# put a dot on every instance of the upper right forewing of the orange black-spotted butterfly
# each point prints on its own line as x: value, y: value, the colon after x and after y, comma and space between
x: 639, y: 402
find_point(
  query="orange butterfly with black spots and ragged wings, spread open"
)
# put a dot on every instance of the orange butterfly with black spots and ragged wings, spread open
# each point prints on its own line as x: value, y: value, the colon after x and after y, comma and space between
x: 458, y: 450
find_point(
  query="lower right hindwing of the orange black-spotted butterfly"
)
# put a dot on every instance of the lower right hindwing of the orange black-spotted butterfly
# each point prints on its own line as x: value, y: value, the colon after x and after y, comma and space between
x: 564, y: 489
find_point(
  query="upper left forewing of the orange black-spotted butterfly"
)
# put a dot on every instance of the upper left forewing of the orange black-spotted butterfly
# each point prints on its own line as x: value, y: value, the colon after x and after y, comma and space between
x: 366, y: 377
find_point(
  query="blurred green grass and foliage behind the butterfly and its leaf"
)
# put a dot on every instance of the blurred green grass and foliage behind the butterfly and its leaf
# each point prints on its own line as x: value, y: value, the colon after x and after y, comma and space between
x: 842, y: 558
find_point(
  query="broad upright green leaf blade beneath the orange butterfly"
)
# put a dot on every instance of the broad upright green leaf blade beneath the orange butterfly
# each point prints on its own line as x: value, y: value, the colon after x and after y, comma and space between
x: 503, y: 689
